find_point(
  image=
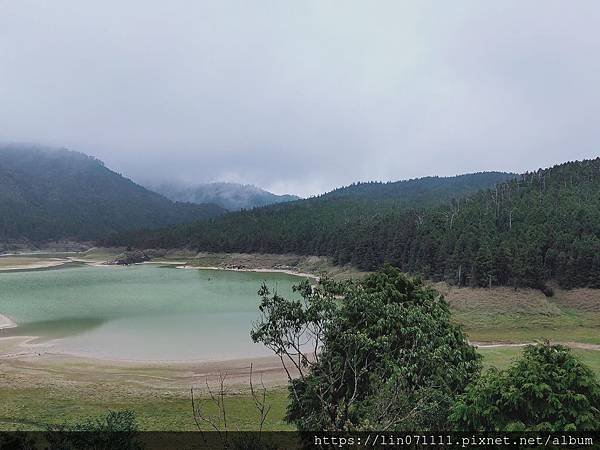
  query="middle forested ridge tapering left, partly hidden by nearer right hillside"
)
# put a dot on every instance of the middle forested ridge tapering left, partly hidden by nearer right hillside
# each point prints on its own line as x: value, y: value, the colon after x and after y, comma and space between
x: 337, y: 224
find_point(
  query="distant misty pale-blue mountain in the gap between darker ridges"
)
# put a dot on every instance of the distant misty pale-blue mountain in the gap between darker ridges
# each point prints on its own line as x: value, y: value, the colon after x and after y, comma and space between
x: 231, y: 196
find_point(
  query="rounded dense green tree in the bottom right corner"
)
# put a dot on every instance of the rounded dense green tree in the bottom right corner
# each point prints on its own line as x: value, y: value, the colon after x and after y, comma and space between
x: 547, y: 389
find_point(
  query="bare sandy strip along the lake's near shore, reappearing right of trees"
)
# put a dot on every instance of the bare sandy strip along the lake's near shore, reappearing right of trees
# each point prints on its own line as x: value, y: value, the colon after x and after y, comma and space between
x: 41, y: 366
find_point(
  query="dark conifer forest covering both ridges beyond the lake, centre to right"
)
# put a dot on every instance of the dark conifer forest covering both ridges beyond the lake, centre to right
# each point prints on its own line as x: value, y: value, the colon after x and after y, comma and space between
x: 537, y: 227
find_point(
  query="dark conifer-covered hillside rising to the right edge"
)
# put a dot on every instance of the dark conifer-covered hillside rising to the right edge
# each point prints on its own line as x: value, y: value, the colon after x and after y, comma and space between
x: 544, y: 225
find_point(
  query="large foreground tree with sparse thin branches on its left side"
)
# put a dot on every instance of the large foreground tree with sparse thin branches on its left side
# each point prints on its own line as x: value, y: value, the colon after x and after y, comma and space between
x: 375, y: 354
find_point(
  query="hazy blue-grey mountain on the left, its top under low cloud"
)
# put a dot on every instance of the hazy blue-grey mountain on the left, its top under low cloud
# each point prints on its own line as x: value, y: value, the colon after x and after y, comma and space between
x: 48, y: 194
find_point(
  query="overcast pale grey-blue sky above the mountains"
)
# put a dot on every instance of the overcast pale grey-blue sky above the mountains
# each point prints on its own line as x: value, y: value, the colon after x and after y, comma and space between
x: 303, y: 96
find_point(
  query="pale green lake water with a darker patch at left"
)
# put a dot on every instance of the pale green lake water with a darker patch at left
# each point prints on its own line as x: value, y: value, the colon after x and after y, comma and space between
x: 141, y: 312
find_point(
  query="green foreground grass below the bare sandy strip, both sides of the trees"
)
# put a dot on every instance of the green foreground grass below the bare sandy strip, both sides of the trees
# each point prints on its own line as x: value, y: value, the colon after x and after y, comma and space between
x: 27, y: 408
